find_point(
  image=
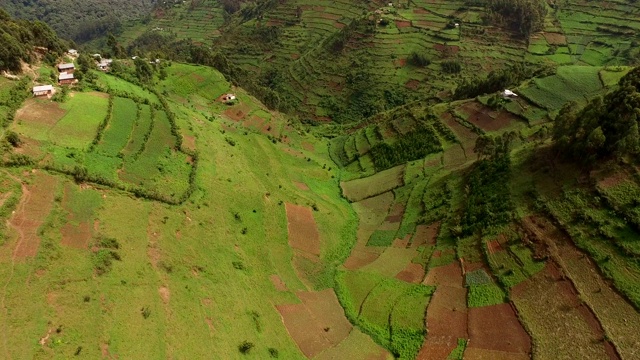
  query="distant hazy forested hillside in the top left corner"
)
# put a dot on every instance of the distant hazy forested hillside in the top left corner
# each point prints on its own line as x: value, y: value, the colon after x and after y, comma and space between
x: 80, y: 20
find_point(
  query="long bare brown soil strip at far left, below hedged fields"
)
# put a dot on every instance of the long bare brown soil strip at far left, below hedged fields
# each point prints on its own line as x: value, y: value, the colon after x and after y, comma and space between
x: 35, y: 205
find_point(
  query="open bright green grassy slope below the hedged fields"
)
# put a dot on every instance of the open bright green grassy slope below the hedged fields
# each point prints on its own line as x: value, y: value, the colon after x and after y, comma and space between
x: 189, y: 250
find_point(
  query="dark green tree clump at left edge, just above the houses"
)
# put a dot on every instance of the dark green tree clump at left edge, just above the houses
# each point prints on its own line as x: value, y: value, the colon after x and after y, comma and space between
x: 18, y: 37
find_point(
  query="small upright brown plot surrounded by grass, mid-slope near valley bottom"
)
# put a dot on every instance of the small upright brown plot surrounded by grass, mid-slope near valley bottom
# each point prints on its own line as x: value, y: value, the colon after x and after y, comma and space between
x: 303, y: 231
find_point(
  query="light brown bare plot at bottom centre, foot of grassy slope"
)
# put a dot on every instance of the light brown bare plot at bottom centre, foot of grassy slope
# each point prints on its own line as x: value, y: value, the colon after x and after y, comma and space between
x: 316, y: 324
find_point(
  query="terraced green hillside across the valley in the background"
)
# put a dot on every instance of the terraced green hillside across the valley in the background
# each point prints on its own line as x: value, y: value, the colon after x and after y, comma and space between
x: 345, y: 61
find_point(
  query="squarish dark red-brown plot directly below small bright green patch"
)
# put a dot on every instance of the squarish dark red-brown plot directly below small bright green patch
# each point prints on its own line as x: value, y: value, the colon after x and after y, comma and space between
x: 497, y: 328
